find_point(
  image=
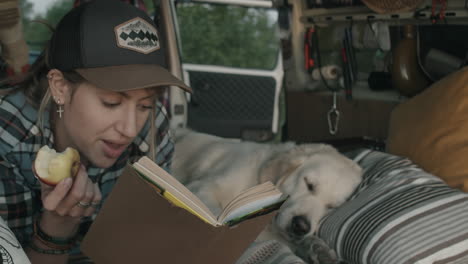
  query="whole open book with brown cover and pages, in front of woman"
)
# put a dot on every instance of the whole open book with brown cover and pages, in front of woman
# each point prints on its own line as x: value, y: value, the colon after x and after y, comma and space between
x: 151, y: 217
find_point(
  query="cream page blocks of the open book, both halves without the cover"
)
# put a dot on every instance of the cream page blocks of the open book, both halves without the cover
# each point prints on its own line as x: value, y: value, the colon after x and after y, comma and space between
x: 260, y: 199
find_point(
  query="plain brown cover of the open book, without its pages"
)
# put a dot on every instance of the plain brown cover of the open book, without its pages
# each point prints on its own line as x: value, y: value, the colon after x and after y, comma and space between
x: 137, y: 225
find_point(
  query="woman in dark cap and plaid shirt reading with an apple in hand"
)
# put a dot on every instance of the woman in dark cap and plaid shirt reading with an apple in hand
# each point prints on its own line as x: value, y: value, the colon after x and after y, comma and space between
x: 93, y: 89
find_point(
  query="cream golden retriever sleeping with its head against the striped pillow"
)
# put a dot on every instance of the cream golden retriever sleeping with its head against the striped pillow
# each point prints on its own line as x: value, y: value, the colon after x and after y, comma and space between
x: 315, y: 176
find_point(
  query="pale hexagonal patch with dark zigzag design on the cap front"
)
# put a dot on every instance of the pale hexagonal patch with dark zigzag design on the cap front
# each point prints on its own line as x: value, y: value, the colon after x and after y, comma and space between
x: 137, y: 35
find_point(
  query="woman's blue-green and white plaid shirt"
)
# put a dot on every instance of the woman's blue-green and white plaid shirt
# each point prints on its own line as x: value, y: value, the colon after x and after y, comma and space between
x: 20, y: 139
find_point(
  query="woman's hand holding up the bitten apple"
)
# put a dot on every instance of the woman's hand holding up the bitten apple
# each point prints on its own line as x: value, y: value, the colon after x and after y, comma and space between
x: 68, y: 202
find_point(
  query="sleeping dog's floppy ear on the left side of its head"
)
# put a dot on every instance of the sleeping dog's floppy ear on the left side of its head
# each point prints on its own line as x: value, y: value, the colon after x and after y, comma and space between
x: 279, y: 166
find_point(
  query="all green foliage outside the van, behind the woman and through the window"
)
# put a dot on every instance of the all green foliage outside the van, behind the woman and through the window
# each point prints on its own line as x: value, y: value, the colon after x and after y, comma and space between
x: 210, y: 34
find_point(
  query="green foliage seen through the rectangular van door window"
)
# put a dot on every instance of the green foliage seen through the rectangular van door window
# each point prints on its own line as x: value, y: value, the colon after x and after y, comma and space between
x: 231, y: 36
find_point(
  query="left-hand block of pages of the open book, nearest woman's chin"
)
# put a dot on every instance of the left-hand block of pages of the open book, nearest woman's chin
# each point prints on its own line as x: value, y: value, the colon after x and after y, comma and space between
x: 160, y: 177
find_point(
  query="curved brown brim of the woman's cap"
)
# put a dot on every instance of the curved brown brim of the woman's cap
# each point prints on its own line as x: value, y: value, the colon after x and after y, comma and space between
x: 130, y: 77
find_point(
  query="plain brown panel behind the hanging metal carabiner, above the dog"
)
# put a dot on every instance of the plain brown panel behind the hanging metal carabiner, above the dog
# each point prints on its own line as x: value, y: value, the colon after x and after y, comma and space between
x: 307, y: 117
